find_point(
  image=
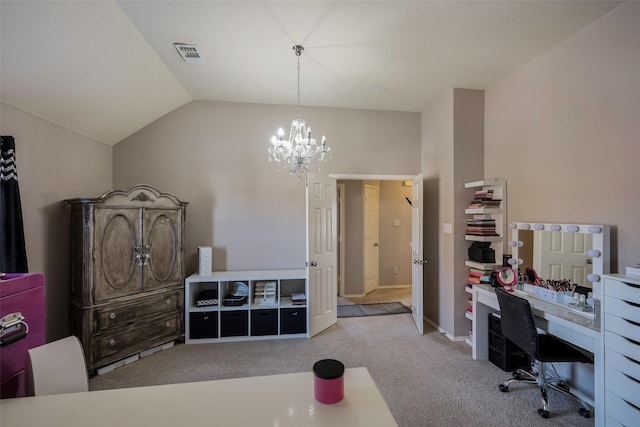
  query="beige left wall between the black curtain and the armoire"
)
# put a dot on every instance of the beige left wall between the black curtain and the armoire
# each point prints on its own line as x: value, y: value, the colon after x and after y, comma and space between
x: 53, y: 164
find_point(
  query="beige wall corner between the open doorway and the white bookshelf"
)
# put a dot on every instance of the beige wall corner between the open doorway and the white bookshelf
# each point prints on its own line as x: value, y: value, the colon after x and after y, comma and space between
x: 452, y: 147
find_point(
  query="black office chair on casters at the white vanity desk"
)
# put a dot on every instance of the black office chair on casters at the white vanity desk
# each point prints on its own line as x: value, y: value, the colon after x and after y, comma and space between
x: 518, y: 325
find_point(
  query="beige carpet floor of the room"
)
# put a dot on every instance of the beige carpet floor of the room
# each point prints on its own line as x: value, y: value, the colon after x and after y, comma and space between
x: 426, y: 380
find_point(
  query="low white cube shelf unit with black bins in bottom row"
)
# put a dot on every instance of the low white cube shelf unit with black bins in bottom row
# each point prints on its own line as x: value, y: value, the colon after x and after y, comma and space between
x: 269, y: 311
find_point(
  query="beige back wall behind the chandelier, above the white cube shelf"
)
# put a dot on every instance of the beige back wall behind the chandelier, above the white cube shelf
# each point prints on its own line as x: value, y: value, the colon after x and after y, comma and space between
x: 214, y: 156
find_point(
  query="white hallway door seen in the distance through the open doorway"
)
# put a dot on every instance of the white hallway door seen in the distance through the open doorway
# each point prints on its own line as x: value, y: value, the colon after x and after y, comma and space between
x: 371, y: 238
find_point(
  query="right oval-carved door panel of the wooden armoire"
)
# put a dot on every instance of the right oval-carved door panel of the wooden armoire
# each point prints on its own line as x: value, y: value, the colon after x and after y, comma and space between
x: 162, y: 246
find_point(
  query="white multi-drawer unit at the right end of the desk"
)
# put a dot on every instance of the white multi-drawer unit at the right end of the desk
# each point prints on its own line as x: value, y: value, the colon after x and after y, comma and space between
x: 621, y: 318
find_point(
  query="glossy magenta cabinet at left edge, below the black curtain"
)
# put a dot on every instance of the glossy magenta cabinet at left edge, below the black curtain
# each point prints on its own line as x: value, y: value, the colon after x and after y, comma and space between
x: 20, y: 293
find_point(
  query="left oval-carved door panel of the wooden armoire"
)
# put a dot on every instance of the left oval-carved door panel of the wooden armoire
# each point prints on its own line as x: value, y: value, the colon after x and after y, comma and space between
x: 117, y: 270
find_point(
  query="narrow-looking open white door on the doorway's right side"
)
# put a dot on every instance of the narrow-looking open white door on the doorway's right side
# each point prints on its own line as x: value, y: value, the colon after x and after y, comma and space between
x: 417, y: 253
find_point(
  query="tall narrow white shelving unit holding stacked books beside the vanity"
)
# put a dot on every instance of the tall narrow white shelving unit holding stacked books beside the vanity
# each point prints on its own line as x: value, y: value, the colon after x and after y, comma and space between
x: 498, y: 242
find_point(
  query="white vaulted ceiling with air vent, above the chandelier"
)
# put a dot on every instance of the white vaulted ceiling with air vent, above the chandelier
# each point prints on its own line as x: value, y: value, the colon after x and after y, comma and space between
x: 108, y: 68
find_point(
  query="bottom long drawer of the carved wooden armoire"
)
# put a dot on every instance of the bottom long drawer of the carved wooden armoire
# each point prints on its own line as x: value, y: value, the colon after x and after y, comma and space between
x: 138, y: 338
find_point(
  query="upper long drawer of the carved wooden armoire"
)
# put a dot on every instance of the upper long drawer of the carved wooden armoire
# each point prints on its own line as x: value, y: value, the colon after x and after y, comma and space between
x: 119, y: 316
